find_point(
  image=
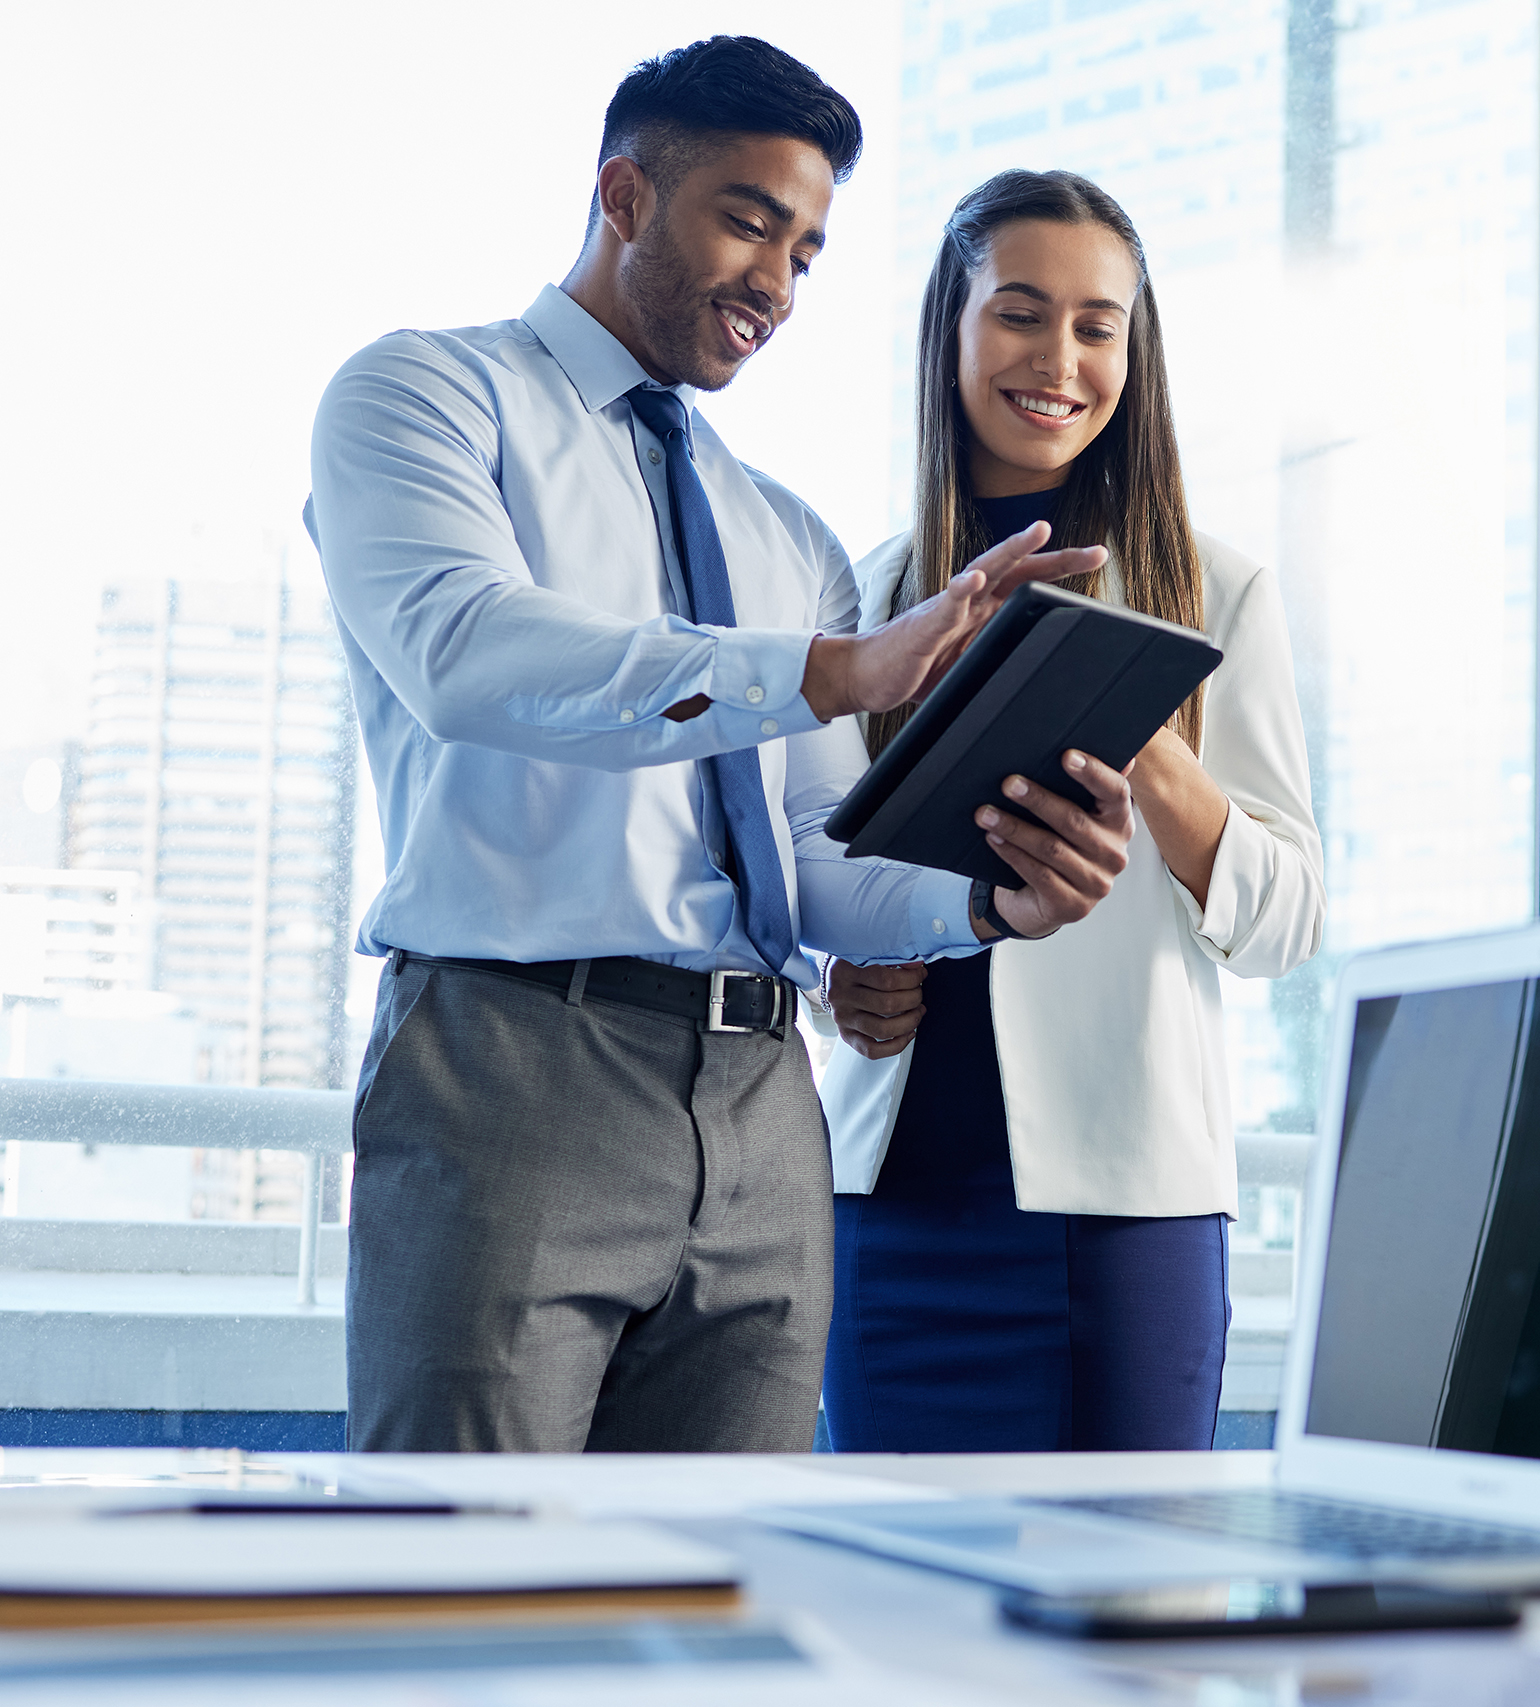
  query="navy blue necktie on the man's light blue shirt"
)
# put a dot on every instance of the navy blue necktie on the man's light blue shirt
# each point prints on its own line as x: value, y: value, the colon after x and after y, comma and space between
x: 740, y: 783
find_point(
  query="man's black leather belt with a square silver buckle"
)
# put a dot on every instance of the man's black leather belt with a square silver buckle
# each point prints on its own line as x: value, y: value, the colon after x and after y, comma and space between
x: 716, y: 1001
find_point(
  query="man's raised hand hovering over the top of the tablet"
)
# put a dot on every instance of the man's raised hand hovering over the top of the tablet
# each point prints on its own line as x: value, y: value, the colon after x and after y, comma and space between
x: 904, y: 660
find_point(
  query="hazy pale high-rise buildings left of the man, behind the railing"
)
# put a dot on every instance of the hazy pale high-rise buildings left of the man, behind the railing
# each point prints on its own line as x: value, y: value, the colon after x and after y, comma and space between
x: 201, y: 929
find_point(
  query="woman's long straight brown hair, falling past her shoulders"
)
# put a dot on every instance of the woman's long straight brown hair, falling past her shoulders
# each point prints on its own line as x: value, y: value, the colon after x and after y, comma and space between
x: 1124, y: 489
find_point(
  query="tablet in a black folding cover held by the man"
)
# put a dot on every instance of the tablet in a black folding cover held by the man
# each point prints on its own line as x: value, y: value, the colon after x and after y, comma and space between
x: 1049, y: 672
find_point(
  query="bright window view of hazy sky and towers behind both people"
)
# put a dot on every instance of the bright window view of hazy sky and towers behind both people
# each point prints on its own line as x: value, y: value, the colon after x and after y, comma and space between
x: 216, y: 206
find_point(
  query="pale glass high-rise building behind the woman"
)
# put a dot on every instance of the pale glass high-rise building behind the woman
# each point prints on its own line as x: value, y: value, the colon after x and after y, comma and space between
x: 1339, y: 213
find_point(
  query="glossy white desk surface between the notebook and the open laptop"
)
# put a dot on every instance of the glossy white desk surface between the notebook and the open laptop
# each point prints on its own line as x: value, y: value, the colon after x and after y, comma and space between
x: 935, y: 1628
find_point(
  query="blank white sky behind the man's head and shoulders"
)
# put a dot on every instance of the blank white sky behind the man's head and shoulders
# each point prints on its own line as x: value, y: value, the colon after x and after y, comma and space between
x: 209, y: 207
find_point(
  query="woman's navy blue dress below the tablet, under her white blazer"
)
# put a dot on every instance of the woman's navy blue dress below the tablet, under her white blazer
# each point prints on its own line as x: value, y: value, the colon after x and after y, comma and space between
x: 967, y: 1325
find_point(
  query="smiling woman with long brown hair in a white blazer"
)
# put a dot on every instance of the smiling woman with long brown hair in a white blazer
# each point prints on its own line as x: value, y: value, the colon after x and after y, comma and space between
x: 1034, y: 1153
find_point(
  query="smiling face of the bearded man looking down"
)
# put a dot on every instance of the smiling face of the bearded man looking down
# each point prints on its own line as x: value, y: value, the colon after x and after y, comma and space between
x: 715, y: 272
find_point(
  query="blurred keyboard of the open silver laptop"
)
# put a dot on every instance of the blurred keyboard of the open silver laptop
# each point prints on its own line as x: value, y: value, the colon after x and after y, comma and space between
x: 1317, y: 1525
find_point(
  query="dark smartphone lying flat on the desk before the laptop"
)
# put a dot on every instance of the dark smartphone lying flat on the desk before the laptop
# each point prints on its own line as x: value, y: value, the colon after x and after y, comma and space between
x: 1252, y: 1607
